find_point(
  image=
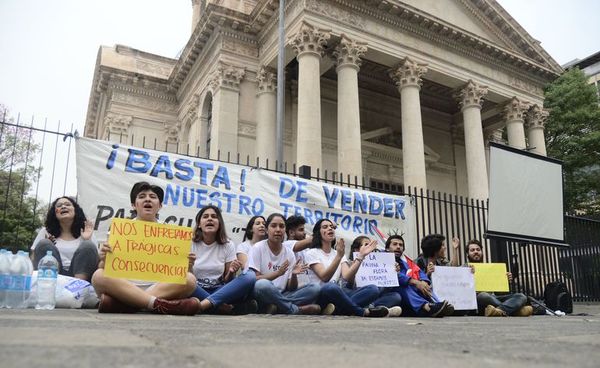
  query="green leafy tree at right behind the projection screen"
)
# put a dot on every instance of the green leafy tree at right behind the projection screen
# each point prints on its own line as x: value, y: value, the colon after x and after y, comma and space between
x: 573, y: 136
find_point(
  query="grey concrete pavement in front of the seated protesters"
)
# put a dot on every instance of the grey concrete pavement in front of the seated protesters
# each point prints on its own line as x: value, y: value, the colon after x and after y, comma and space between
x: 84, y: 338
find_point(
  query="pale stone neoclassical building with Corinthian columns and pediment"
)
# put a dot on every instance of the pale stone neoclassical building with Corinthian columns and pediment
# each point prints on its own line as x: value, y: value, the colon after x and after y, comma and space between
x: 398, y: 92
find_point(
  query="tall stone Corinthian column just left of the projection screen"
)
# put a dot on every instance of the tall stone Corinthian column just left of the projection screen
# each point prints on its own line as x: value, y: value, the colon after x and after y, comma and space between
x: 470, y: 99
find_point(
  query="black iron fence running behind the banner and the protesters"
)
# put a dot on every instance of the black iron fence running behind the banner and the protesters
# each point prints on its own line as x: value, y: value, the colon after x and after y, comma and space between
x: 35, y: 167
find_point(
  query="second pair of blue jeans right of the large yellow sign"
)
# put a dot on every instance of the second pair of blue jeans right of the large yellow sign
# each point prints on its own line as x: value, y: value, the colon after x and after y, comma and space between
x: 286, y: 301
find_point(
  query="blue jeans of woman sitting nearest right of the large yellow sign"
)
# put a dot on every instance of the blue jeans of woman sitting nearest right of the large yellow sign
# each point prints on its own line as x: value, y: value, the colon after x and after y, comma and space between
x: 235, y: 291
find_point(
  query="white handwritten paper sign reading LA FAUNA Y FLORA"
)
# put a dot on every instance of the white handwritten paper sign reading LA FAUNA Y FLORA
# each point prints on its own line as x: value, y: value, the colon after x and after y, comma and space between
x: 379, y: 269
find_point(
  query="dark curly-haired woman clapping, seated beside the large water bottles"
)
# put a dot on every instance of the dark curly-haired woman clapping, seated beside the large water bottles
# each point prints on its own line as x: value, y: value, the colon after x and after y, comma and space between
x: 69, y: 236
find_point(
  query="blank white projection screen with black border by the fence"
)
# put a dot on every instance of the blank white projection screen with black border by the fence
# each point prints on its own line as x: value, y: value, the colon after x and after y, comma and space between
x: 526, y: 197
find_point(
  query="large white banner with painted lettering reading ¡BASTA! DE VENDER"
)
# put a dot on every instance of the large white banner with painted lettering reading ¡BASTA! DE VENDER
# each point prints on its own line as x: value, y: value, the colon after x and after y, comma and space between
x: 107, y: 171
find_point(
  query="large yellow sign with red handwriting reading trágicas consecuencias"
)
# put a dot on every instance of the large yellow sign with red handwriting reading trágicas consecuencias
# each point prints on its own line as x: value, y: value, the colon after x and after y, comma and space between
x: 148, y: 251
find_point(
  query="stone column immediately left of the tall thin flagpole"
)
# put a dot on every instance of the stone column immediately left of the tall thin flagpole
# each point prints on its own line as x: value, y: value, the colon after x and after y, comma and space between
x: 266, y: 115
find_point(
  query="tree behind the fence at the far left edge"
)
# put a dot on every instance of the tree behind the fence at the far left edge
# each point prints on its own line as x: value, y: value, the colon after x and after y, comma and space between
x: 20, y: 213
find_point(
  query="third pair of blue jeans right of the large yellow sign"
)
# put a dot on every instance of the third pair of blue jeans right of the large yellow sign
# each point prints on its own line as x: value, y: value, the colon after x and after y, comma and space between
x: 348, y: 301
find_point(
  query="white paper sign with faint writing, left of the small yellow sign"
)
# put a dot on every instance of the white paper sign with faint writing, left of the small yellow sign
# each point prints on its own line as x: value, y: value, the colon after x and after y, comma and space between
x: 456, y: 285
